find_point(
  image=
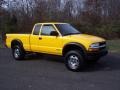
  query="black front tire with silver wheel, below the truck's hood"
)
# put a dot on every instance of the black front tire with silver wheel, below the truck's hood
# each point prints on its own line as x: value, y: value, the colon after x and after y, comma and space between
x: 74, y: 60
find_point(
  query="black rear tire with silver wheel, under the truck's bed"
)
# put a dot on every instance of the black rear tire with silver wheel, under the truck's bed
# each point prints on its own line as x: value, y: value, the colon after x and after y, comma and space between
x: 18, y: 52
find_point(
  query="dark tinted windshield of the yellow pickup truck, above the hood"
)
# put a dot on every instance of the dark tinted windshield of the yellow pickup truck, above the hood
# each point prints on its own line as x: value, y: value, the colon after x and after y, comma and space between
x: 67, y: 29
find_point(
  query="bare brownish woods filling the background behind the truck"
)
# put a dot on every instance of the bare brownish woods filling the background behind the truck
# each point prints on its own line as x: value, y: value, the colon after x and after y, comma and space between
x: 97, y: 17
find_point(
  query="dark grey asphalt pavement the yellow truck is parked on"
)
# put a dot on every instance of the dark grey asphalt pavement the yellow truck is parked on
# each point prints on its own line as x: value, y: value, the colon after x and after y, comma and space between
x: 49, y: 73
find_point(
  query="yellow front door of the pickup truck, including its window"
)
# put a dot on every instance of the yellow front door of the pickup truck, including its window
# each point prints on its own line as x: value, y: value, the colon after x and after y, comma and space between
x: 49, y: 43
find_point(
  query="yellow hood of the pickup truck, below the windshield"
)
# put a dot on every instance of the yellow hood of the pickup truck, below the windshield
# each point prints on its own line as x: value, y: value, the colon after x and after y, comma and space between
x: 87, y: 38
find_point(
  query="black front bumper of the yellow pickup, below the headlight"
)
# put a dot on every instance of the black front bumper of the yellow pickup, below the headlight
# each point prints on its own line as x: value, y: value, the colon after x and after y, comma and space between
x: 93, y: 55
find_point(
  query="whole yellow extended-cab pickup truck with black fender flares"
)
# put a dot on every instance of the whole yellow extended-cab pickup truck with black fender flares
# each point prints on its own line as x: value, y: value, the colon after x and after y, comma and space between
x: 60, y: 39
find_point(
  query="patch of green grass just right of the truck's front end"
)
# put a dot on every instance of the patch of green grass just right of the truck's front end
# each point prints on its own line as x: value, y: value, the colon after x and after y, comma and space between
x: 114, y: 45
